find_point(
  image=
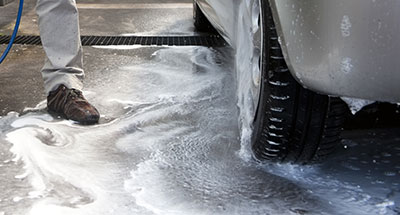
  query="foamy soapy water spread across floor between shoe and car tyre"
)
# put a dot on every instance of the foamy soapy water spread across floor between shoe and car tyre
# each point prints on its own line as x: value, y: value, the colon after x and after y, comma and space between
x: 168, y: 143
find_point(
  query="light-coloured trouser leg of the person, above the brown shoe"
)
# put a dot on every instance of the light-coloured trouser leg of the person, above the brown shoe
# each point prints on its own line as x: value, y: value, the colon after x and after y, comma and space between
x: 60, y: 35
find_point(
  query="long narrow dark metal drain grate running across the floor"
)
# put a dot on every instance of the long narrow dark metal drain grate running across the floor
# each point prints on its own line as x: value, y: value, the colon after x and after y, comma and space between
x: 209, y: 40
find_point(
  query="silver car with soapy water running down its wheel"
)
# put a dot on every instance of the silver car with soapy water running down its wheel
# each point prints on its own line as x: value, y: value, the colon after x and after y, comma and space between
x: 295, y: 60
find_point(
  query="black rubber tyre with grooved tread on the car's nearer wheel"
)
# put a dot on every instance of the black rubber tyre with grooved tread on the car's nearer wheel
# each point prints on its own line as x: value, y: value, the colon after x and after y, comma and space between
x: 291, y: 123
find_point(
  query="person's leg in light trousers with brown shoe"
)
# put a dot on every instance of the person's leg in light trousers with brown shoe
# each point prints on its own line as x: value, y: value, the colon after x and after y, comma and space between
x: 63, y: 71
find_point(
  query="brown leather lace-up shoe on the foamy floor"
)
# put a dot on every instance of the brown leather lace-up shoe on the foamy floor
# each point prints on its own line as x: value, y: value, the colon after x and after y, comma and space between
x: 70, y: 104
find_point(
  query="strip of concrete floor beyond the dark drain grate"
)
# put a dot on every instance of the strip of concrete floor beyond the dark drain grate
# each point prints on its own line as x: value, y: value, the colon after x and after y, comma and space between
x: 170, y: 17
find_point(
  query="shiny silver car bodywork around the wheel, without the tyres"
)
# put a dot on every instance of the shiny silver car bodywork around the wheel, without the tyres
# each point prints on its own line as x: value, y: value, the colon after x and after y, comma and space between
x: 337, y: 47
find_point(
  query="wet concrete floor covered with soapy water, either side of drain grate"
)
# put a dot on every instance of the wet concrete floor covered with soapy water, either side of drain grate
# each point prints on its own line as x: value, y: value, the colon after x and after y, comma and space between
x: 168, y: 140
